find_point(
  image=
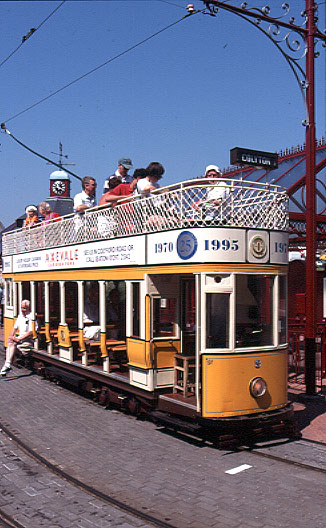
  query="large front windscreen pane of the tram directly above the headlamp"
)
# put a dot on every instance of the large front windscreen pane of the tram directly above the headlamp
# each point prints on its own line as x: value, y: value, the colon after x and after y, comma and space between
x: 254, y: 310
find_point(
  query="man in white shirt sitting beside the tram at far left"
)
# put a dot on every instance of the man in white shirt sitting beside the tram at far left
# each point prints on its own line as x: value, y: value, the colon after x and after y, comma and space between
x: 23, y: 342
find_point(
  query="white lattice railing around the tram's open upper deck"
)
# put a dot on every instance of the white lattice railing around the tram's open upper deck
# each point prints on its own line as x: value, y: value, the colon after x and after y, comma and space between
x: 180, y: 206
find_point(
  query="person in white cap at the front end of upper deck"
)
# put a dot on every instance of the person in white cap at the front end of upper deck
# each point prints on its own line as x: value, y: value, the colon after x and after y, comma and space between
x: 218, y: 192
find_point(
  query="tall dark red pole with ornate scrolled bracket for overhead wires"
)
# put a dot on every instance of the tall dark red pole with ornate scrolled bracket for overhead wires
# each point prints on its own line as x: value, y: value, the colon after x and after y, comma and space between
x: 310, y: 35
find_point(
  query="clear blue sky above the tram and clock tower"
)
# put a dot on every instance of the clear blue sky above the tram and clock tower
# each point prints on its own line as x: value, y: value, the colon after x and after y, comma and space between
x: 184, y: 98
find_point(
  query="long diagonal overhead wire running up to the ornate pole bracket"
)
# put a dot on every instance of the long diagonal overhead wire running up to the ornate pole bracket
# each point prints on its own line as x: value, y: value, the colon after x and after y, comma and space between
x: 99, y: 67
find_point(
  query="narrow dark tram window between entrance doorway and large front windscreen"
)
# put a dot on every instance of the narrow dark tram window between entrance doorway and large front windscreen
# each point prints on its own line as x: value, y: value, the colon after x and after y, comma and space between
x: 217, y: 320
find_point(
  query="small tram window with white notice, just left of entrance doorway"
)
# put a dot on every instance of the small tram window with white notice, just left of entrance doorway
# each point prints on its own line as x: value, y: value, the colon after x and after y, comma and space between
x: 164, y: 317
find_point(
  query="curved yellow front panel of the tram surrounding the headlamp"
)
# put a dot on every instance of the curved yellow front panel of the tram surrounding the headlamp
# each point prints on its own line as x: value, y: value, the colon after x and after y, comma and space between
x: 226, y: 379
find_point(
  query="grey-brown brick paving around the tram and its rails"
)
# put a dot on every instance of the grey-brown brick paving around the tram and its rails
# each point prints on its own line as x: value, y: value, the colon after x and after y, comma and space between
x: 136, y: 462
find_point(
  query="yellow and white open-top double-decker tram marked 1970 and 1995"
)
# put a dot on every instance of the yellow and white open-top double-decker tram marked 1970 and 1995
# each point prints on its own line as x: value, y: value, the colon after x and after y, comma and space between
x: 174, y: 304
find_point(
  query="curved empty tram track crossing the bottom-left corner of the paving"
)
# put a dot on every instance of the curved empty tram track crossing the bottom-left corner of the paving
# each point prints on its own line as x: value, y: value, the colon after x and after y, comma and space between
x: 9, y: 522
